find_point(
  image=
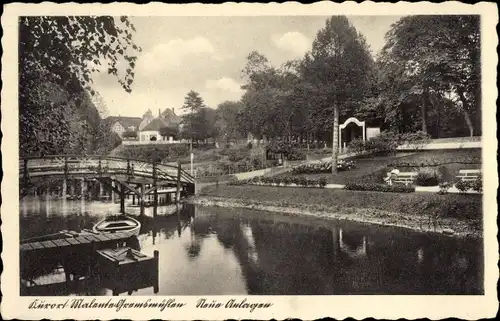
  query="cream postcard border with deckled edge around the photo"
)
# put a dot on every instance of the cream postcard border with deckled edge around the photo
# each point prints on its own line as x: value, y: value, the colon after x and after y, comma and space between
x: 304, y: 307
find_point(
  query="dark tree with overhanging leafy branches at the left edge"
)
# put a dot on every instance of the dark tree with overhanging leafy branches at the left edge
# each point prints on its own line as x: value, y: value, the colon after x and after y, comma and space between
x: 57, y: 57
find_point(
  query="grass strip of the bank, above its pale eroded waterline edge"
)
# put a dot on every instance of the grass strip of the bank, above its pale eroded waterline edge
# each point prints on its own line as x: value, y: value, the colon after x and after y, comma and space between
x: 464, y: 207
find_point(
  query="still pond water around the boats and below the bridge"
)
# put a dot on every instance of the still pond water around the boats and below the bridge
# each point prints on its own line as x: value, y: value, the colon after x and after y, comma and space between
x: 219, y: 251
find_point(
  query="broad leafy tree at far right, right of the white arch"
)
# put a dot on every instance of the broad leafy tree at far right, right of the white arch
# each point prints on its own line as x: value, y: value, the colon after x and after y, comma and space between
x: 432, y: 63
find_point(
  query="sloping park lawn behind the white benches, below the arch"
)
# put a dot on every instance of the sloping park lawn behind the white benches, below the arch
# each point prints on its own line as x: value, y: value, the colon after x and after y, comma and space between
x: 374, y: 169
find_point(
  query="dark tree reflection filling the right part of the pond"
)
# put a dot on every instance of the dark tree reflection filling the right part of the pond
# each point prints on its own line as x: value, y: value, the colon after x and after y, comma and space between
x: 280, y: 255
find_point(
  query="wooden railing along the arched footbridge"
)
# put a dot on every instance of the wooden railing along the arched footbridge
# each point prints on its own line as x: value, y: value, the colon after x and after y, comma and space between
x: 96, y: 164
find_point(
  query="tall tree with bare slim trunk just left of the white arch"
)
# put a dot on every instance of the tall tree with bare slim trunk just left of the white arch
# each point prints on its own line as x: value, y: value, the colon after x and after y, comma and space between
x: 339, y: 67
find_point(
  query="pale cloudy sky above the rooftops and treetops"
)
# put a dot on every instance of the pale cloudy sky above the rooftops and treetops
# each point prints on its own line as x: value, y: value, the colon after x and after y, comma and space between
x: 207, y: 55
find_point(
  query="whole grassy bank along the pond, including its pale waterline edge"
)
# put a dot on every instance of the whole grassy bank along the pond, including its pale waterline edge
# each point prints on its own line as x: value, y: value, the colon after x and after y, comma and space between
x: 419, y: 211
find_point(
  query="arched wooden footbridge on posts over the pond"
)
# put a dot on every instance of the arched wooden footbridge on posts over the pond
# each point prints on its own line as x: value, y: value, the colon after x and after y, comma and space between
x: 123, y: 176
